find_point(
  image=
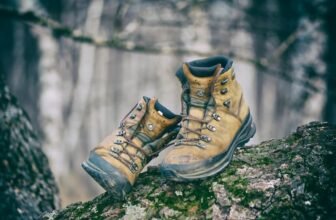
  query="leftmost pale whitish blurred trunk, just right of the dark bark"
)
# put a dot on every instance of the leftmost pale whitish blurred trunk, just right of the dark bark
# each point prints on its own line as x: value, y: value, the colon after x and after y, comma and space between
x: 50, y: 100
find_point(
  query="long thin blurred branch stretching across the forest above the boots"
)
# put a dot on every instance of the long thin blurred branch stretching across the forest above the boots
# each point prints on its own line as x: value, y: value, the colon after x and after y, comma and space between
x: 31, y: 18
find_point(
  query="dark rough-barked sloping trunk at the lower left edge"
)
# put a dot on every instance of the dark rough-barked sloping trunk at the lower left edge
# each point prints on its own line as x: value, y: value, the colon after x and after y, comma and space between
x: 27, y: 186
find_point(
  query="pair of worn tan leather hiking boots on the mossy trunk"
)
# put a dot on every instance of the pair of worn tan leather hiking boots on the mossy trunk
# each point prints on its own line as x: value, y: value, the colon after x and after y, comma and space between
x: 215, y: 120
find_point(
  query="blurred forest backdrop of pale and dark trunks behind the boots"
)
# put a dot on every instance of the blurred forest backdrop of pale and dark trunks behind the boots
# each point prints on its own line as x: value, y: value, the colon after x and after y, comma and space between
x: 77, y: 66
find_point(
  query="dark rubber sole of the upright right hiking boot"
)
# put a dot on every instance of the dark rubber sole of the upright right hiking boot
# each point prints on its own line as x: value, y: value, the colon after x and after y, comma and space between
x: 211, y: 166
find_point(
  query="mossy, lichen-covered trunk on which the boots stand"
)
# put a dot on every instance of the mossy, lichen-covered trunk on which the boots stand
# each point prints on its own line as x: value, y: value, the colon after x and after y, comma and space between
x: 289, y: 178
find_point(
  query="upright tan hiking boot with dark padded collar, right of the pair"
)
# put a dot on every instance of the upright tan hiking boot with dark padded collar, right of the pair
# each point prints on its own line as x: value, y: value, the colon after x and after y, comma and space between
x: 215, y: 121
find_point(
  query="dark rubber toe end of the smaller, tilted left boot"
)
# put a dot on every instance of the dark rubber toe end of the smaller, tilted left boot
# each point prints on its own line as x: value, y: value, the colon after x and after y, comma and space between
x: 107, y: 176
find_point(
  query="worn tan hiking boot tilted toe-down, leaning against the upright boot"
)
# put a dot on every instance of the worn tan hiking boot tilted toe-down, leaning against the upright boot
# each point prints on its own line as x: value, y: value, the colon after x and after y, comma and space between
x: 117, y: 161
